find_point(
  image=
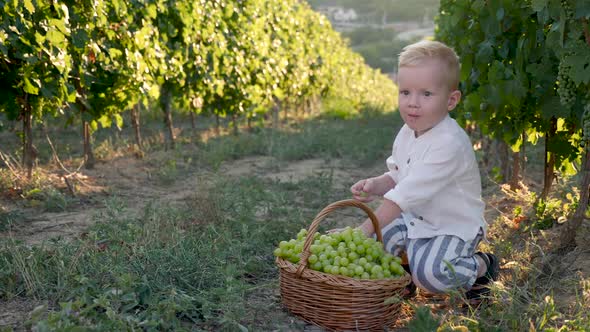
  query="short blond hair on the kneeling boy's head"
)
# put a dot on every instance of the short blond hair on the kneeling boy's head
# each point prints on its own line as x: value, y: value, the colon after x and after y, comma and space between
x: 415, y: 54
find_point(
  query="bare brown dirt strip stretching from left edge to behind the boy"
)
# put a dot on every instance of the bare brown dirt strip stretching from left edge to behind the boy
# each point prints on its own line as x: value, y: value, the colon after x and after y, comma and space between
x: 135, y: 183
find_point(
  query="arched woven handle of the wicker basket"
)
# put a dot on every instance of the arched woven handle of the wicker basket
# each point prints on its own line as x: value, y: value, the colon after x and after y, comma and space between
x: 305, y: 253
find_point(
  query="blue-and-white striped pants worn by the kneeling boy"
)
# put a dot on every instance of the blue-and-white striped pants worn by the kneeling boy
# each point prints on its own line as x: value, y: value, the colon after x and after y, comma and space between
x: 437, y: 264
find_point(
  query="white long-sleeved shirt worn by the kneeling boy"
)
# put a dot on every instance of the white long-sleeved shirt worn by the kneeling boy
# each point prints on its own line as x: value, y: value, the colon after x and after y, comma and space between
x: 437, y: 182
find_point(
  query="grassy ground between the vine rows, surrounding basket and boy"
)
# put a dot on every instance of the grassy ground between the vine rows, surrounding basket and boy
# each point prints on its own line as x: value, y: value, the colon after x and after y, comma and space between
x: 196, y: 254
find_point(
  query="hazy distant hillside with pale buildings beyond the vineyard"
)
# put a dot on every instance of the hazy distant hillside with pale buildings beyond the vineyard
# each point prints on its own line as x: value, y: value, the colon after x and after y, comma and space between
x: 384, y: 11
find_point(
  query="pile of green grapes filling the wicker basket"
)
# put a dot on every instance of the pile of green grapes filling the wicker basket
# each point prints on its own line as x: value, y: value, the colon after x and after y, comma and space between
x: 348, y: 253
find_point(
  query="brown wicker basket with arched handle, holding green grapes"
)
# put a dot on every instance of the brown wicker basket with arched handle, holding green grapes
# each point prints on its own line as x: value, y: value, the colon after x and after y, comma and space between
x: 336, y: 302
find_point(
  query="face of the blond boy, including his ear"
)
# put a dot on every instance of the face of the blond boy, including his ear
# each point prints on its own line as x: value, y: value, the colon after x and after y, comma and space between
x: 424, y: 95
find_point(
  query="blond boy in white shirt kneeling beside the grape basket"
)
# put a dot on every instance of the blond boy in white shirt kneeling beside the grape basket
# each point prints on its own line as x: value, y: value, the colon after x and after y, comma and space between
x: 432, y: 205
